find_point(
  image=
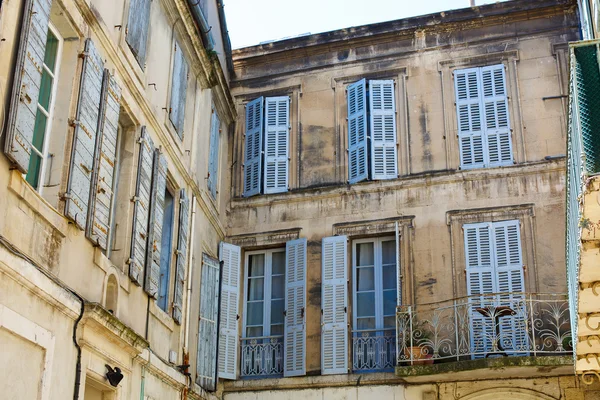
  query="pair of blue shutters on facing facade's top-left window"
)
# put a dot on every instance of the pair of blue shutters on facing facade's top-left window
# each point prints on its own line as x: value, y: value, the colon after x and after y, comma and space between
x: 266, y: 162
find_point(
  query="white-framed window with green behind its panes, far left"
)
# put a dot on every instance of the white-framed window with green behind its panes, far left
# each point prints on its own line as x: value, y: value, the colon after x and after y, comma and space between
x: 45, y: 104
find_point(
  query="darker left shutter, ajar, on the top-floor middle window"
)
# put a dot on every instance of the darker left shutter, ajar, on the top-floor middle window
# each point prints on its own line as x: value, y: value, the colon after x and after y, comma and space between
x: 357, y: 131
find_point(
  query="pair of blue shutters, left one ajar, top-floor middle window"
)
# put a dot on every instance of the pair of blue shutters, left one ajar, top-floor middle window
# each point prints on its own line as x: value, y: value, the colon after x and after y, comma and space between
x: 372, y: 144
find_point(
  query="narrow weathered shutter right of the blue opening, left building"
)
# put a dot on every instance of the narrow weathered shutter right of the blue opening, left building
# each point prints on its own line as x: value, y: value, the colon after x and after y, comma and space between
x: 182, y: 250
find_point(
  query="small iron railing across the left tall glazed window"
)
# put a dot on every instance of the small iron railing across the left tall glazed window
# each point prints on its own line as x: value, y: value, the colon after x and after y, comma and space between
x: 262, y: 356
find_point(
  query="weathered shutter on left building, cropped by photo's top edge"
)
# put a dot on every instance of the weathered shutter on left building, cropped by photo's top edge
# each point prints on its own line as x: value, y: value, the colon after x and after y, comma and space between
x: 138, y: 23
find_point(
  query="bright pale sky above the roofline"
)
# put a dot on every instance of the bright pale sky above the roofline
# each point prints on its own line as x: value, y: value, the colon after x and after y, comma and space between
x: 253, y: 21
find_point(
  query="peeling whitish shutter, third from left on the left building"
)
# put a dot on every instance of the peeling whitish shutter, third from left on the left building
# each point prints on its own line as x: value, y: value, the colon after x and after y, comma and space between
x: 104, y: 163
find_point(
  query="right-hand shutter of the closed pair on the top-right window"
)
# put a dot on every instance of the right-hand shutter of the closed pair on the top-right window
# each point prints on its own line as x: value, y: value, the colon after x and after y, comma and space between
x: 497, y: 124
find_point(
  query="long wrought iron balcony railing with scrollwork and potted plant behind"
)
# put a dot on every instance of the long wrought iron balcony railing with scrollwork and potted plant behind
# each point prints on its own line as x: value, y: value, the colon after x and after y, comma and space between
x: 500, y: 324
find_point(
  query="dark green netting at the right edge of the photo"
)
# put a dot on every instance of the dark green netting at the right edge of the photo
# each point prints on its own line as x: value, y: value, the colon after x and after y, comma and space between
x: 588, y: 102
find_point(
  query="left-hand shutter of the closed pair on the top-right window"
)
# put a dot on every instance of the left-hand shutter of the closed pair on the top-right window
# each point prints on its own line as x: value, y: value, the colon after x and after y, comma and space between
x: 470, y: 123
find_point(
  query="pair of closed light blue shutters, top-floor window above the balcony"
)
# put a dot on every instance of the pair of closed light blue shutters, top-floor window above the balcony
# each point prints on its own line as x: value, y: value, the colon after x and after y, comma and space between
x: 483, y: 122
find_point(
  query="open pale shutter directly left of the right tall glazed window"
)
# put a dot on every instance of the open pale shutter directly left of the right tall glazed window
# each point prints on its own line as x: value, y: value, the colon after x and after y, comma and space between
x: 334, y: 298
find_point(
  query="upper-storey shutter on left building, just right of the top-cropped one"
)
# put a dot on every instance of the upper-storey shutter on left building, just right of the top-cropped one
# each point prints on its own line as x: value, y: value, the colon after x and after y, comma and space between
x: 178, y: 90
